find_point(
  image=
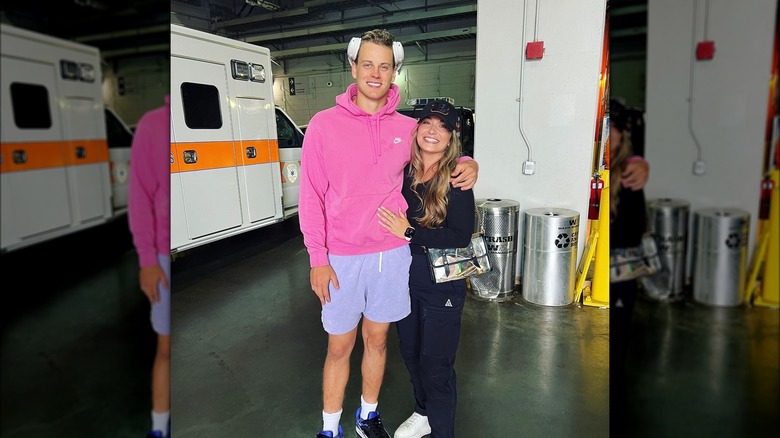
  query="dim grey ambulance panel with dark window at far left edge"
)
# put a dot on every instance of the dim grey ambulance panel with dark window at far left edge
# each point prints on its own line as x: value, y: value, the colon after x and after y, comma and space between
x: 34, y: 177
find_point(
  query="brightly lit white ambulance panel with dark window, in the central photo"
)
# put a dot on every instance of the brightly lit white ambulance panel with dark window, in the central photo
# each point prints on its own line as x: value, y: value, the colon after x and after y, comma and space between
x: 204, y: 176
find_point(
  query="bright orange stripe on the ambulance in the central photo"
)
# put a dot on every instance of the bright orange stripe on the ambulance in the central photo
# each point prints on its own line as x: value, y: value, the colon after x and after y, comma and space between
x: 221, y: 154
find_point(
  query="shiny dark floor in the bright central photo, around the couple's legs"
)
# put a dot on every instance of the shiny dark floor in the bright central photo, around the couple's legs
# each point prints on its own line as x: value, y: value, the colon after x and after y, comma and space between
x: 248, y: 350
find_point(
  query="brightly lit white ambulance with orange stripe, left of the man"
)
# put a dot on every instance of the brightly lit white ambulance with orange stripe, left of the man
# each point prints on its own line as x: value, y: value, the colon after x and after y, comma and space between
x: 226, y: 166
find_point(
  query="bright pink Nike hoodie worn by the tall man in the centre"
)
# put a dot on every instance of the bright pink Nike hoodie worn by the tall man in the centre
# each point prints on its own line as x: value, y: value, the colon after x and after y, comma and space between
x: 352, y: 163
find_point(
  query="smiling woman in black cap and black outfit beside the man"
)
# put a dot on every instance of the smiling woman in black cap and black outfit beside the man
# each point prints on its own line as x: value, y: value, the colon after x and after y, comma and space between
x: 437, y: 217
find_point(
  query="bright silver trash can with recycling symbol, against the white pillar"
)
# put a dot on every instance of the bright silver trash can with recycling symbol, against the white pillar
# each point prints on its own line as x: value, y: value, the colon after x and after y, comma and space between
x: 550, y: 255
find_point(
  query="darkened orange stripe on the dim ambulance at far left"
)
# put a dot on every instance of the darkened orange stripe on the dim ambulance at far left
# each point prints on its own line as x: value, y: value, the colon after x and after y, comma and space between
x: 48, y: 154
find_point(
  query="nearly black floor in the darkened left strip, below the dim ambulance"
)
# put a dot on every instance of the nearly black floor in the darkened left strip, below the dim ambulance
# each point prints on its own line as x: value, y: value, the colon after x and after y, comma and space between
x: 77, y: 345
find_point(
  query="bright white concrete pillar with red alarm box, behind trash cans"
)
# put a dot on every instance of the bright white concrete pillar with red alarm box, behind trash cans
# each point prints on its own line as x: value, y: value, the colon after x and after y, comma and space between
x: 560, y: 102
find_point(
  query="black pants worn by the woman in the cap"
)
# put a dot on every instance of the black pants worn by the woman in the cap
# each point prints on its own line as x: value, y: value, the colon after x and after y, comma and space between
x: 429, y: 339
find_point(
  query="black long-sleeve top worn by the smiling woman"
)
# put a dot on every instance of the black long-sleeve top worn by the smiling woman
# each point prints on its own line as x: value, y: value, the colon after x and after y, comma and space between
x: 457, y: 228
